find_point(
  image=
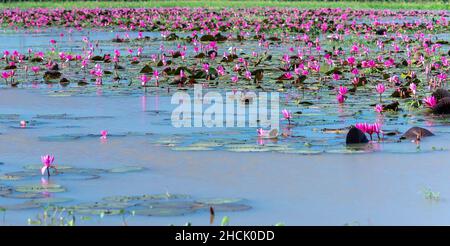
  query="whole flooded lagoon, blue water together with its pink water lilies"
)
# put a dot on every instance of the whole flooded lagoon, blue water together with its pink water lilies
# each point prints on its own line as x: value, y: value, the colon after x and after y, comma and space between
x: 107, y: 119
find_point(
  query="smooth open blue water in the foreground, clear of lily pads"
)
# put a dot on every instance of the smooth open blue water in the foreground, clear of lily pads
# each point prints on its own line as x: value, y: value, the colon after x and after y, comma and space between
x: 379, y: 188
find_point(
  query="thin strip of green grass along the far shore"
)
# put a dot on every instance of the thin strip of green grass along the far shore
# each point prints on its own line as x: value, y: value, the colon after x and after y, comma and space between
x: 233, y: 4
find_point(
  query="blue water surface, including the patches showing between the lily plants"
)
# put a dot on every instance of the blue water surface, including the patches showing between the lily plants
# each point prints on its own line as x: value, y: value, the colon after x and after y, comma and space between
x: 307, y: 178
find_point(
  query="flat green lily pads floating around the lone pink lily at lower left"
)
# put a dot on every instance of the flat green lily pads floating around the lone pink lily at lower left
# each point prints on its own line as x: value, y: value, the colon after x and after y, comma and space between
x: 45, y: 194
